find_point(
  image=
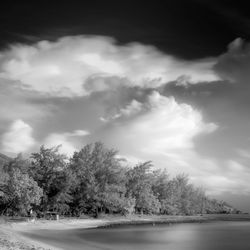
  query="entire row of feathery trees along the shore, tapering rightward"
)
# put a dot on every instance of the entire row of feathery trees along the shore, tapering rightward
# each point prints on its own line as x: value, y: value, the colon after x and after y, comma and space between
x: 95, y: 180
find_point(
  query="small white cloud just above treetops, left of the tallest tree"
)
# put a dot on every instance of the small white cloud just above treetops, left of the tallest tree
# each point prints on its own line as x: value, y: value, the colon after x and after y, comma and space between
x: 65, y: 140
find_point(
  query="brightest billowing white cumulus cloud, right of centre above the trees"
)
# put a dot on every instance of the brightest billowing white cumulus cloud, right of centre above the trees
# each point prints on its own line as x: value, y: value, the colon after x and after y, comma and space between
x: 160, y: 126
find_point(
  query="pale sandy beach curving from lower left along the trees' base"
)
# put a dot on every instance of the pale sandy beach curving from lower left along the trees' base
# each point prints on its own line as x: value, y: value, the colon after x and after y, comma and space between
x: 22, y: 235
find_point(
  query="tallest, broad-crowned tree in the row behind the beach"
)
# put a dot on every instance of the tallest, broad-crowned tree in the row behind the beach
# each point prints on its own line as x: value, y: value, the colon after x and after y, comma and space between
x: 98, y: 180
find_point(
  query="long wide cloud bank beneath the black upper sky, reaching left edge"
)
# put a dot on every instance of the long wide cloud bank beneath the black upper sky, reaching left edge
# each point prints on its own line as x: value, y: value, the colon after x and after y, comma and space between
x: 65, y: 67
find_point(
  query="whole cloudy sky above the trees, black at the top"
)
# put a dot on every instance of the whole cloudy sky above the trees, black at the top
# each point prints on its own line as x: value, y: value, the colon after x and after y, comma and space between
x: 162, y: 82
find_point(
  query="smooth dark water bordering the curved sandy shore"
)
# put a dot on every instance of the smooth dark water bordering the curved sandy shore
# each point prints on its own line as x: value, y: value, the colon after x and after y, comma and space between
x: 193, y: 236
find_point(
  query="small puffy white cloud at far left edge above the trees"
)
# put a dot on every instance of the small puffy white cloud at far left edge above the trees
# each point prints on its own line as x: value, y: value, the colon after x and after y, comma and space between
x: 18, y: 138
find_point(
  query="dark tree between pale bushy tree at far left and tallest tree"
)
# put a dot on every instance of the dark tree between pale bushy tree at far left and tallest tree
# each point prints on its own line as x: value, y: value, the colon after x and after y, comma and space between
x: 49, y: 170
